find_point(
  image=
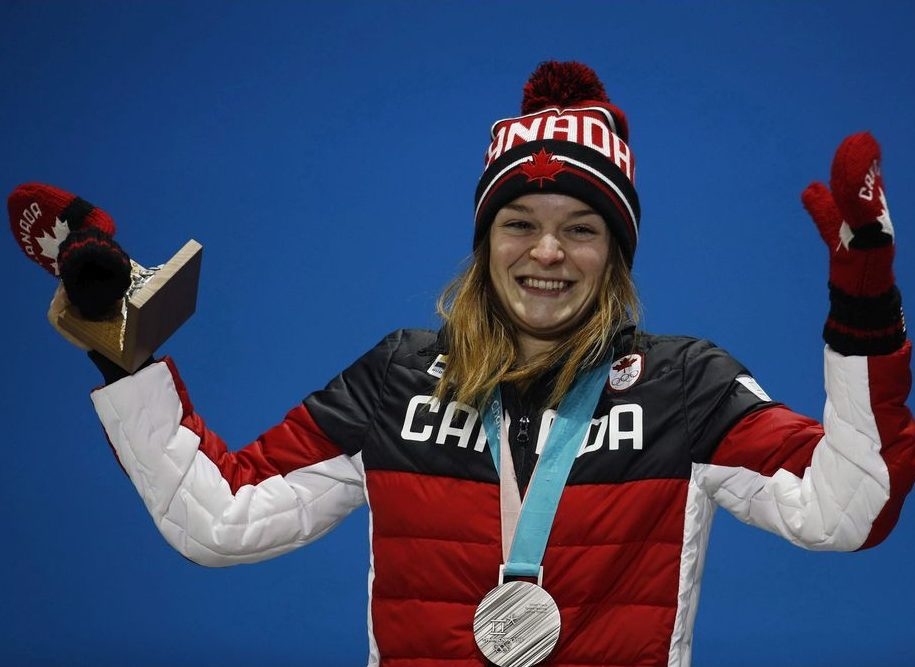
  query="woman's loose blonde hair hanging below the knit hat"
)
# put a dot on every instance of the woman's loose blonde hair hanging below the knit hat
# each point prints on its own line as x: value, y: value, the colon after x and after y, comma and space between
x: 483, y: 348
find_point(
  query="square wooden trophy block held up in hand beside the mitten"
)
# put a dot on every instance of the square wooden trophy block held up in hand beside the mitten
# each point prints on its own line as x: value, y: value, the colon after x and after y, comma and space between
x: 159, y: 300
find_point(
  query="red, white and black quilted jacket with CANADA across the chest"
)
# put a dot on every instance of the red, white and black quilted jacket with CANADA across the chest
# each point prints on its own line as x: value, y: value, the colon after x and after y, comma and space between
x: 680, y: 428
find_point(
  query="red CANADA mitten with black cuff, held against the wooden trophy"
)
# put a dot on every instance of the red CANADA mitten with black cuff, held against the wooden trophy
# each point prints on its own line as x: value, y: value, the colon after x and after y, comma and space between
x: 71, y: 238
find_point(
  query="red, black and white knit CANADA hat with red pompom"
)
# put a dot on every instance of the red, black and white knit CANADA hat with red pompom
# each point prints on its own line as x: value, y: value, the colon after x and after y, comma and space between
x: 569, y: 140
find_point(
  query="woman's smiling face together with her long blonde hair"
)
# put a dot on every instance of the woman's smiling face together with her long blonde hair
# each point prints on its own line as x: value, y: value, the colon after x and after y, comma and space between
x: 548, y: 268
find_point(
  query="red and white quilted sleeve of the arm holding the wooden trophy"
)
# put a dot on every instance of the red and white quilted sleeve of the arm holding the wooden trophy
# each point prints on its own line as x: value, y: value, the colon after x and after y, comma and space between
x: 219, y: 507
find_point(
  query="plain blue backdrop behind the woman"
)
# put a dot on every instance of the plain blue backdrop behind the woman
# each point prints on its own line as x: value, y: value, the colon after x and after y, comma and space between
x: 325, y: 155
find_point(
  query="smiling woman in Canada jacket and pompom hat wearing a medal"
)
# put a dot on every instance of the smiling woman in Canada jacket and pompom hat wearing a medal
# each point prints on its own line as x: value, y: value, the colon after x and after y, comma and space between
x: 542, y: 474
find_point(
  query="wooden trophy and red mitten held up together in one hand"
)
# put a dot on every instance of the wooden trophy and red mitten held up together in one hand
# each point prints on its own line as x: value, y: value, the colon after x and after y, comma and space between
x: 105, y: 301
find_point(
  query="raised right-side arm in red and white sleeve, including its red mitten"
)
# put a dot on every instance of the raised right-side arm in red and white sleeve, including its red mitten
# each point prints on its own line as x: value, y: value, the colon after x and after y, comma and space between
x: 838, y: 485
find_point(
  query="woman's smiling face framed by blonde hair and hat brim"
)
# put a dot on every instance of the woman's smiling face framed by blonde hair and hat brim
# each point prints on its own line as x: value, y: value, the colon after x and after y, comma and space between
x: 548, y: 254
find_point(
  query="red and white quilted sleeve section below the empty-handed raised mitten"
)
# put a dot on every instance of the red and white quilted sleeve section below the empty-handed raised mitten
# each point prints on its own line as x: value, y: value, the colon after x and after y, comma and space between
x: 838, y: 485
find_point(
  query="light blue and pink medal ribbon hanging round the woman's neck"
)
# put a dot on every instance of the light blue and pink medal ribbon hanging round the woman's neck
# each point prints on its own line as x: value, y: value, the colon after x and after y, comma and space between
x: 526, y: 526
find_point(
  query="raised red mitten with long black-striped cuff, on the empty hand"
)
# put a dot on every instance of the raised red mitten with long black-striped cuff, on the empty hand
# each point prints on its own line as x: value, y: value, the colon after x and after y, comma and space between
x: 865, y: 316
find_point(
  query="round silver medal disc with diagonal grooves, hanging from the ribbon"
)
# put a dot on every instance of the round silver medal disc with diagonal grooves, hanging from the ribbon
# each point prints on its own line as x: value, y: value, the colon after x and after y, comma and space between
x: 517, y: 624
